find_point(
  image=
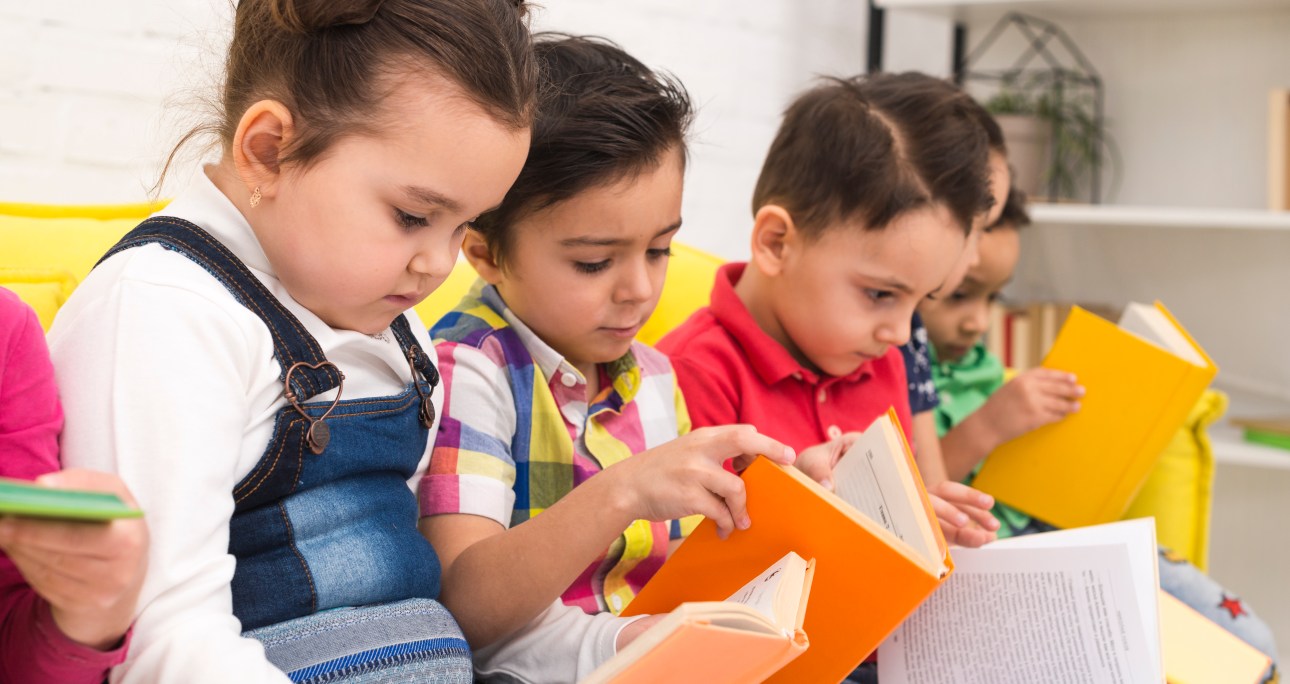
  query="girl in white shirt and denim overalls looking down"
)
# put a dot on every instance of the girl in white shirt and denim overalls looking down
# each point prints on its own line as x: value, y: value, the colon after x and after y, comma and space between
x: 246, y: 365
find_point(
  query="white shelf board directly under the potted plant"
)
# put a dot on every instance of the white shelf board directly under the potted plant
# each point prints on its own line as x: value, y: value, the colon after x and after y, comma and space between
x: 1158, y: 217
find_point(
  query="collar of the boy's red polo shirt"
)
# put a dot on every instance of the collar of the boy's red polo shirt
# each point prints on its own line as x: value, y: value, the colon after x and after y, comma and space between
x: 769, y: 359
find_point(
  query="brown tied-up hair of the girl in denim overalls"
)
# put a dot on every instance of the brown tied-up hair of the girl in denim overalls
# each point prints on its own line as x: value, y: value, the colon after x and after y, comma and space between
x: 324, y: 60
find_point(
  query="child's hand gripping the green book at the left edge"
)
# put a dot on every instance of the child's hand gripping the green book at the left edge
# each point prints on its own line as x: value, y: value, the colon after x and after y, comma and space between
x: 91, y: 574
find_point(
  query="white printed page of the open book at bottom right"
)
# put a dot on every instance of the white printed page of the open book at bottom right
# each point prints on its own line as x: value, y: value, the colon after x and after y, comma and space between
x: 1015, y: 616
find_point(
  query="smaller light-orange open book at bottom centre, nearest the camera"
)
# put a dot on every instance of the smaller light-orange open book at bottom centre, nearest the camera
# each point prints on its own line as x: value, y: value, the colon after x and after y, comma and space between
x: 746, y: 638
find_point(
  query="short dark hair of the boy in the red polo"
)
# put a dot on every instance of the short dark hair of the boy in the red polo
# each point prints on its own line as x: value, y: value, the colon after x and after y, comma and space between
x: 874, y: 148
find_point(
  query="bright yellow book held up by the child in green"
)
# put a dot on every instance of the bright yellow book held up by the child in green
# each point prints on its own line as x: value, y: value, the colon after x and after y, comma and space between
x: 1142, y: 379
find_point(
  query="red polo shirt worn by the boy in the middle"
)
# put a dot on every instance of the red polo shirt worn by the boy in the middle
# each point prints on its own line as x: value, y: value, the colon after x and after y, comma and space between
x: 732, y: 372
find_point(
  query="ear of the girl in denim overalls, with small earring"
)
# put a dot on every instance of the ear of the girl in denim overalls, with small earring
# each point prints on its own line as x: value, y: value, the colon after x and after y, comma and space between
x: 261, y: 141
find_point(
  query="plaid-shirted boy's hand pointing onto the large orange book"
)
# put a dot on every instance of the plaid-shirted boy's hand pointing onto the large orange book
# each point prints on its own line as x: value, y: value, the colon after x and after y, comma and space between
x: 686, y: 477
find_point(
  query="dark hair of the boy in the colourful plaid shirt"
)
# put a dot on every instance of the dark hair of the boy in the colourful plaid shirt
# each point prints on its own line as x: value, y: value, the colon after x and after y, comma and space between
x: 603, y: 117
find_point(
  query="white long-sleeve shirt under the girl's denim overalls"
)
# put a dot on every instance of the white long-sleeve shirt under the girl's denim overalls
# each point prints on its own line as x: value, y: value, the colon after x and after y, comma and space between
x: 167, y: 380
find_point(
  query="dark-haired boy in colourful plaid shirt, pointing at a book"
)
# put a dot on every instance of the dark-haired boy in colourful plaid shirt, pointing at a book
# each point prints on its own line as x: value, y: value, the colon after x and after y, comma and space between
x: 551, y: 408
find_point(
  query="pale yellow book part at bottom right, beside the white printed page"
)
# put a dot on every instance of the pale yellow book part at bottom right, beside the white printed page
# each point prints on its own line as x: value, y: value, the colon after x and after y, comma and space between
x: 1200, y: 652
